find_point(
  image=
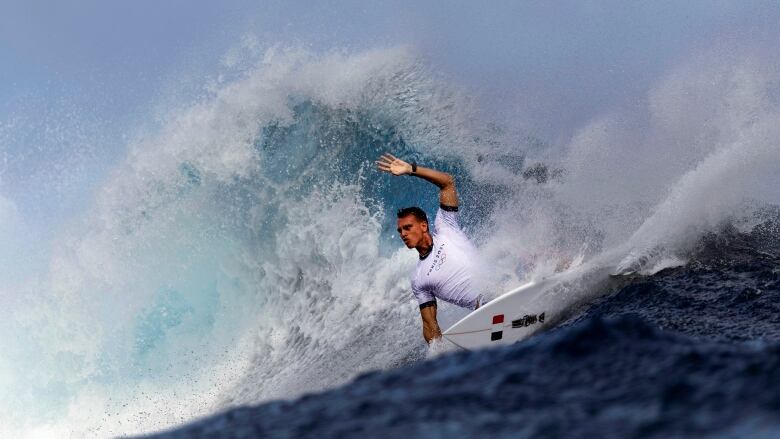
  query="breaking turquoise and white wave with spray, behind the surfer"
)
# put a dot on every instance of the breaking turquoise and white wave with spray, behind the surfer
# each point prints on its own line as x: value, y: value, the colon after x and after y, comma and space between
x: 245, y: 250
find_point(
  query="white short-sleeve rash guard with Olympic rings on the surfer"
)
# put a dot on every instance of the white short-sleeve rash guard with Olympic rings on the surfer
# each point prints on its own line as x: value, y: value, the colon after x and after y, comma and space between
x: 447, y: 272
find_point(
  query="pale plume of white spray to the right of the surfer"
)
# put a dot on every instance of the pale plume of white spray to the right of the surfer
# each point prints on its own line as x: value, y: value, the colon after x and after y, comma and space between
x: 699, y: 151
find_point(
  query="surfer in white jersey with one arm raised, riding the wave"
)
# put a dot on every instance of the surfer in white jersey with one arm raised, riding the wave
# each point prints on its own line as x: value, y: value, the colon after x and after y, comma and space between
x: 447, y: 257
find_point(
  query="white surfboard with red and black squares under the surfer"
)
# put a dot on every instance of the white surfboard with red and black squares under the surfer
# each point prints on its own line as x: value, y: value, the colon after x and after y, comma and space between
x: 525, y: 310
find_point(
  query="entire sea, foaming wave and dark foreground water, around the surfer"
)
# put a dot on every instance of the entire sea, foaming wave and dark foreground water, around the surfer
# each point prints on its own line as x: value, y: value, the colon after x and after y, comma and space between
x: 238, y: 273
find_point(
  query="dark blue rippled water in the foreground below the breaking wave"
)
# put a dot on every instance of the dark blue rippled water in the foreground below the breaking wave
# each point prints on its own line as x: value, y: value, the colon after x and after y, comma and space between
x: 692, y: 351
